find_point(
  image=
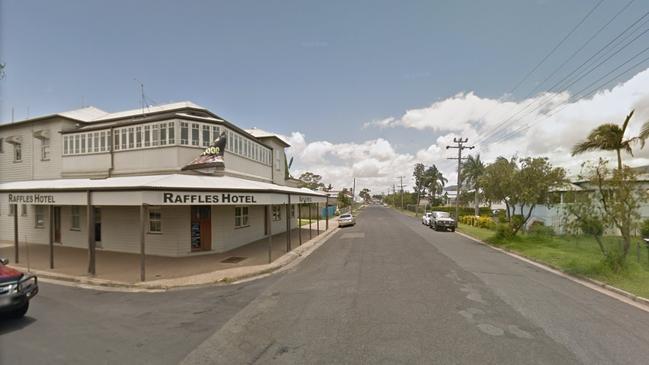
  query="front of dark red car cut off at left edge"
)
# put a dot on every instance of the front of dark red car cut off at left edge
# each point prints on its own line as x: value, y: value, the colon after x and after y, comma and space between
x: 16, y: 290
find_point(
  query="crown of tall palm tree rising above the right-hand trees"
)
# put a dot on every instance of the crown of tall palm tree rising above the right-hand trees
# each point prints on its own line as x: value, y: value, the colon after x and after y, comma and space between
x: 610, y: 137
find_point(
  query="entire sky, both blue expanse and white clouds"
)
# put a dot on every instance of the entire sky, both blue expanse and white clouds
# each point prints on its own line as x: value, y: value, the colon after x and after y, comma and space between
x: 361, y: 89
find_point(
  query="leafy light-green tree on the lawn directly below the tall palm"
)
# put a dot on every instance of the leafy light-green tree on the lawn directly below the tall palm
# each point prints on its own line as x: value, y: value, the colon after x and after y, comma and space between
x: 615, y: 200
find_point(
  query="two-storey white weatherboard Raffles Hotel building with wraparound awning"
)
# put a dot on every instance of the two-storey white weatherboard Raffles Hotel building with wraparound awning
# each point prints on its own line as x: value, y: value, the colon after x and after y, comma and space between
x: 113, y: 181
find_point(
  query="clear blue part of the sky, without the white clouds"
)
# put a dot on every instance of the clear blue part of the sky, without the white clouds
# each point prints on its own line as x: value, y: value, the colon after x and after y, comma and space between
x: 321, y: 68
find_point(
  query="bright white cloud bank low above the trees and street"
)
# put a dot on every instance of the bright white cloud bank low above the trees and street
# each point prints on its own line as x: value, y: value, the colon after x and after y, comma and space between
x: 551, y: 132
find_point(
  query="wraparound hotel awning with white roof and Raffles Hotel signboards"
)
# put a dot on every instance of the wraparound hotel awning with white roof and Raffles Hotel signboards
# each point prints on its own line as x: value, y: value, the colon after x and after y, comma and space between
x: 171, y: 189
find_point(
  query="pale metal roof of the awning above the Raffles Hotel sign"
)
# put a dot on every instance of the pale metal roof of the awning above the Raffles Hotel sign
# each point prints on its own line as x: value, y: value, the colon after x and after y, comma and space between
x: 171, y: 181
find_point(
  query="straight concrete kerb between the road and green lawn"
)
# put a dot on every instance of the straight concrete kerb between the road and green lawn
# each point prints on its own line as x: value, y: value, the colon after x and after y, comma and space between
x: 611, y: 291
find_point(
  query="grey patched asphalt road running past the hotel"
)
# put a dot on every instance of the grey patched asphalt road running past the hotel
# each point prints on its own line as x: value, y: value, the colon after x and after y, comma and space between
x: 386, y: 291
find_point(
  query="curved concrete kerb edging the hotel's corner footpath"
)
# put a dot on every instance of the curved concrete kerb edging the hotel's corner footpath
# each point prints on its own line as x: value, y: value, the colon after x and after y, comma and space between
x: 219, y: 277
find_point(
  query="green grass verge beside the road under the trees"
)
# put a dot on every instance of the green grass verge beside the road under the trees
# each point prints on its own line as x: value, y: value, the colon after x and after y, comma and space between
x: 575, y: 255
